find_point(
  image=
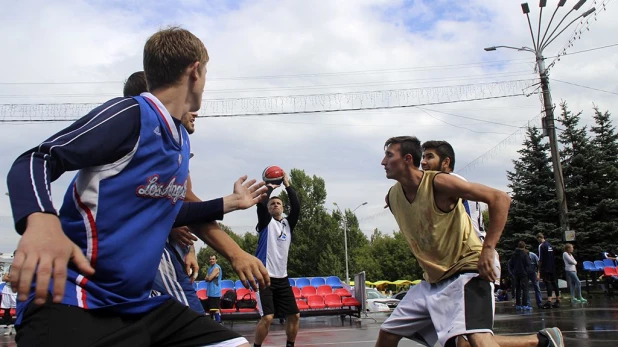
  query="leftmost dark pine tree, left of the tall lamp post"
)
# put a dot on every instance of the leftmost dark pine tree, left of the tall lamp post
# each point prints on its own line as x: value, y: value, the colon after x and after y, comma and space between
x: 534, y: 208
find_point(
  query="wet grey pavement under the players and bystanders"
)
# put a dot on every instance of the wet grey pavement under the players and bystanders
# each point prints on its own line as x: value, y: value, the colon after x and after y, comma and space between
x: 583, y: 325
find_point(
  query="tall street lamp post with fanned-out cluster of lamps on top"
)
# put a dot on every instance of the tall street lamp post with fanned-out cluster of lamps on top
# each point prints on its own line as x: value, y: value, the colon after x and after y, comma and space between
x: 538, y: 45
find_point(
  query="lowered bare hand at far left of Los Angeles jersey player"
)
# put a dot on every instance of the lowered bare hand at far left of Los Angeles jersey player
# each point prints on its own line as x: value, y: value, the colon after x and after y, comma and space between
x: 44, y: 251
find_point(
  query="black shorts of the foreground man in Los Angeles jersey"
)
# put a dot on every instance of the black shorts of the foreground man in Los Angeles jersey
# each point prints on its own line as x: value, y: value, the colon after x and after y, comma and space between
x: 171, y: 324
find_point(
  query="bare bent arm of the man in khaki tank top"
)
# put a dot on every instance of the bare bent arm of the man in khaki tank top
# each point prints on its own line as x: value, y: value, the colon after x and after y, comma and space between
x: 448, y: 187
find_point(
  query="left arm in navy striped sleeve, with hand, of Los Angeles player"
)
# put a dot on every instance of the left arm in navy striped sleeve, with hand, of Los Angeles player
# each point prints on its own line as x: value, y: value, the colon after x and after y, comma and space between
x: 105, y: 135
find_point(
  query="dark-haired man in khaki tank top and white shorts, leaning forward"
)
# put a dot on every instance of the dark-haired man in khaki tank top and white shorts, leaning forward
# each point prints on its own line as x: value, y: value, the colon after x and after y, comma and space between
x: 455, y: 301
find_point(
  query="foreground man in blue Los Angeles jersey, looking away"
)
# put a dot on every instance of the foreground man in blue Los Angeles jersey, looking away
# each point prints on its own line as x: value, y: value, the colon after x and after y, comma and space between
x: 79, y: 276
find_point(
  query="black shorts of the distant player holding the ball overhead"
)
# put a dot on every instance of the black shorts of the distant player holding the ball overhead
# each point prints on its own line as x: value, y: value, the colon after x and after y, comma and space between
x: 278, y: 299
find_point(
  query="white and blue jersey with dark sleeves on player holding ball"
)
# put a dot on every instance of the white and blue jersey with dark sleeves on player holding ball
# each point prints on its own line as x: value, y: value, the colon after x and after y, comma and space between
x: 275, y: 236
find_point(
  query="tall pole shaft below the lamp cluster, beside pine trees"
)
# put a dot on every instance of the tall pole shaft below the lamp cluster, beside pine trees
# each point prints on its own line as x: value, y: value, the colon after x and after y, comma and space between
x: 549, y: 124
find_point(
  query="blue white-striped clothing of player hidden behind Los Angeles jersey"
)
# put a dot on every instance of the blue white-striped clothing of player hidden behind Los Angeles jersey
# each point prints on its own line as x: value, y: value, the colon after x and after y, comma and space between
x: 172, y: 279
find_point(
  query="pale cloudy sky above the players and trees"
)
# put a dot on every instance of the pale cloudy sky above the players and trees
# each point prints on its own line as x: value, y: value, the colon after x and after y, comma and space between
x: 429, y: 51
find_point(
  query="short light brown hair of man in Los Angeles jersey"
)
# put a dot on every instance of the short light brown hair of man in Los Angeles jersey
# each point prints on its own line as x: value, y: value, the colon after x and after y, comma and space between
x: 168, y: 53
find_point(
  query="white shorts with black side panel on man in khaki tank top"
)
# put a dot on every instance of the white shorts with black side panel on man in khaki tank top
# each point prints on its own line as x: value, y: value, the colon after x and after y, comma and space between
x: 460, y: 305
